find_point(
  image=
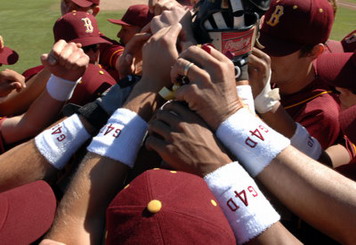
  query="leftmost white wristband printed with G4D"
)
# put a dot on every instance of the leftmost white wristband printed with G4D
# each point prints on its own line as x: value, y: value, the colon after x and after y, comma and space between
x: 60, y: 142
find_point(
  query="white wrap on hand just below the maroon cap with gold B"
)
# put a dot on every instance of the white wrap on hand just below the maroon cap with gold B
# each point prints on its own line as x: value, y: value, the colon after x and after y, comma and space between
x: 267, y: 98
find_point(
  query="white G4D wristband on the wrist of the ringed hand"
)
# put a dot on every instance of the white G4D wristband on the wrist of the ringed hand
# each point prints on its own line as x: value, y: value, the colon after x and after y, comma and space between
x: 251, y: 140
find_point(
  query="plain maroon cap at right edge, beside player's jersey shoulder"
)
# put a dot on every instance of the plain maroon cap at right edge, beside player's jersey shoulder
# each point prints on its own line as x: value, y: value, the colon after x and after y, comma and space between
x: 337, y: 69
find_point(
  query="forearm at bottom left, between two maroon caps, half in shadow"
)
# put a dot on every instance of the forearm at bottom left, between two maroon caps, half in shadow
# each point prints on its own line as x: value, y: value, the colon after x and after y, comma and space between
x: 82, y: 210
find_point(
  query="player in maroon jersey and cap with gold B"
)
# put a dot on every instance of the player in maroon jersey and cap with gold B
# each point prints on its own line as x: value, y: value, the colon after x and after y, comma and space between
x: 307, y: 99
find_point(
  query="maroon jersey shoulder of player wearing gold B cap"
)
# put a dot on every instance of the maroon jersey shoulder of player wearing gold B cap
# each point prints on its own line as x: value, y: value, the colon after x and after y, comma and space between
x: 316, y: 108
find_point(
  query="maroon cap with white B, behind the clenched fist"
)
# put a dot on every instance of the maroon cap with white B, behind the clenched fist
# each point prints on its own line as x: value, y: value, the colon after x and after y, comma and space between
x: 78, y: 27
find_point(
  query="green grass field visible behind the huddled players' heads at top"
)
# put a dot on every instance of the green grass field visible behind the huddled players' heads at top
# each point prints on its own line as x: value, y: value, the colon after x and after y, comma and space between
x: 26, y: 26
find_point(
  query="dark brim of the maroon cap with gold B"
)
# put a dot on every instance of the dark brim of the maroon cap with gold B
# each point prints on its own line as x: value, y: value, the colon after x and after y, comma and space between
x: 277, y: 47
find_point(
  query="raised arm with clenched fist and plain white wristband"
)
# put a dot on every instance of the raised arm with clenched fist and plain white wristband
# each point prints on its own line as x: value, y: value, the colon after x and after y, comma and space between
x: 67, y: 62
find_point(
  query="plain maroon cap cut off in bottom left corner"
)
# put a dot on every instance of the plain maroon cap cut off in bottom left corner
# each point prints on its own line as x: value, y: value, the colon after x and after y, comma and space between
x: 26, y: 213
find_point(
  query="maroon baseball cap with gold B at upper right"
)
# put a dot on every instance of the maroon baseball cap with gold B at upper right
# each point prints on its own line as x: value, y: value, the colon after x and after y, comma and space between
x: 290, y: 25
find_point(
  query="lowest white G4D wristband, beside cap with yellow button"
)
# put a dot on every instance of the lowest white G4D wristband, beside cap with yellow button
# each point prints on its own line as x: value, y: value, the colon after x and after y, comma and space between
x: 244, y: 205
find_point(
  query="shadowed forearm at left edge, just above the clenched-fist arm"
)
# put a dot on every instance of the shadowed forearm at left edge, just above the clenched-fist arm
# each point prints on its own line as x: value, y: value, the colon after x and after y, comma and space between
x: 17, y: 103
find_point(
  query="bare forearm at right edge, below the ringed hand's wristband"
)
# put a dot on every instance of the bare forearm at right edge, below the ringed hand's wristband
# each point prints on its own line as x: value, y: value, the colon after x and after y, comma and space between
x: 317, y: 194
